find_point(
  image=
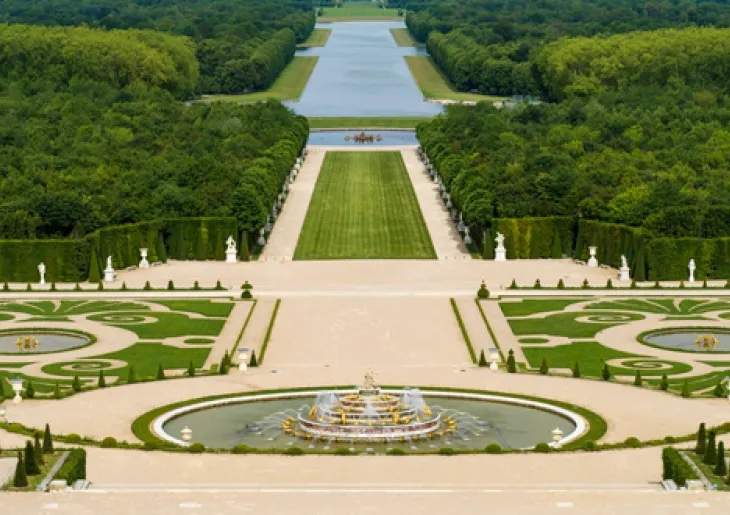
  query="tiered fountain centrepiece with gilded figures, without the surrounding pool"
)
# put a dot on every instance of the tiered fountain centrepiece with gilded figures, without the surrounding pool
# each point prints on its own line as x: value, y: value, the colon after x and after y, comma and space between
x: 369, y: 415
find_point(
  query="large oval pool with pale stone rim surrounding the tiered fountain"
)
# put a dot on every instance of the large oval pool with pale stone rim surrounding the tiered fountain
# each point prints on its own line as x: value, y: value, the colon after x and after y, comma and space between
x: 481, y: 419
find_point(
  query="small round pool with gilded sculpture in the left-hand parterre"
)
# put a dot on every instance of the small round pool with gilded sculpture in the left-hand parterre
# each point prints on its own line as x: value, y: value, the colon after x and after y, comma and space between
x: 41, y: 341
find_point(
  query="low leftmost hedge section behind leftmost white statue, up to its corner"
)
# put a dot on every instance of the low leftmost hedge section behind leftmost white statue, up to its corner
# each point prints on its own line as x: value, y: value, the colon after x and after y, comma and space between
x: 65, y: 260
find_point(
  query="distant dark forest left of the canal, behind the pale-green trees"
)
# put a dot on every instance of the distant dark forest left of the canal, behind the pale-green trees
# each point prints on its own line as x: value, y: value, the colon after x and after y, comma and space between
x: 241, y: 45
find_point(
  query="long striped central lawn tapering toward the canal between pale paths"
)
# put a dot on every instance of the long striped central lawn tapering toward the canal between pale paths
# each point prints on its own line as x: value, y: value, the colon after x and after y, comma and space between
x: 364, y: 207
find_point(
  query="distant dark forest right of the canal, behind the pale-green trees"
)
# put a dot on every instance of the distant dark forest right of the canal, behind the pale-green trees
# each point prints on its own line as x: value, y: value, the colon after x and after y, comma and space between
x: 491, y: 46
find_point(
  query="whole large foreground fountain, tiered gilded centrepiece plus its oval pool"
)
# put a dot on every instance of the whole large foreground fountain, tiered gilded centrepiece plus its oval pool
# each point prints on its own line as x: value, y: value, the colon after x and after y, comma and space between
x: 369, y: 419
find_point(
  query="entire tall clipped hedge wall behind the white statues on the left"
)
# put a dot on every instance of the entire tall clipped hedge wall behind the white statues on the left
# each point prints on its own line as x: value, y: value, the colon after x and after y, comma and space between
x: 77, y: 260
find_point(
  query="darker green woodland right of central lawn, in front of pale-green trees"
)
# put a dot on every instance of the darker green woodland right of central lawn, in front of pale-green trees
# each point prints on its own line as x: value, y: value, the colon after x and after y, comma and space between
x: 654, y: 158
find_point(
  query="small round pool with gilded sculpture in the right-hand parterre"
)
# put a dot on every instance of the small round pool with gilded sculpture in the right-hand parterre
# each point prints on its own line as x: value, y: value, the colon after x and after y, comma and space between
x: 689, y: 339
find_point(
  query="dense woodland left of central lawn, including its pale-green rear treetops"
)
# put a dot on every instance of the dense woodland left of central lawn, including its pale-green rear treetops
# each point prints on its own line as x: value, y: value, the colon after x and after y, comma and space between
x: 88, y: 139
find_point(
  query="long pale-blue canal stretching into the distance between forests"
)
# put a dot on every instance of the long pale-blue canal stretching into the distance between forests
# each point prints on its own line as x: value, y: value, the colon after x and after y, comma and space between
x: 362, y: 72
